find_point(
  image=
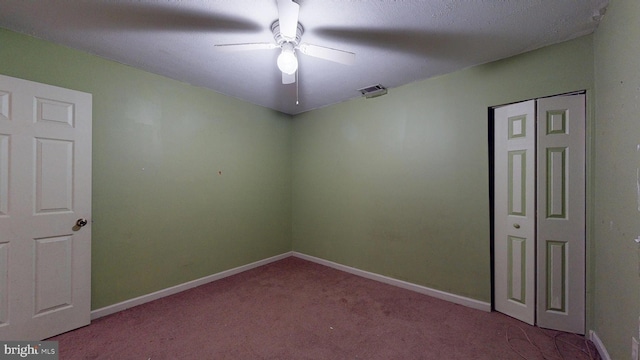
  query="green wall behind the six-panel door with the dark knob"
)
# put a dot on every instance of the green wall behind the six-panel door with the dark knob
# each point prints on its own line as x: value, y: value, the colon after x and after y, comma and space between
x: 162, y: 214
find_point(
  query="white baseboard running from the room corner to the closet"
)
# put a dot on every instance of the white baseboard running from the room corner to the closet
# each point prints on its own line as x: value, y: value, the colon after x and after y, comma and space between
x: 457, y: 299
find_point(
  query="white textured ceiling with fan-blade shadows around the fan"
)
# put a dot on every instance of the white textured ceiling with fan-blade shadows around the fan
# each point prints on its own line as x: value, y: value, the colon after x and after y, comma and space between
x: 396, y: 41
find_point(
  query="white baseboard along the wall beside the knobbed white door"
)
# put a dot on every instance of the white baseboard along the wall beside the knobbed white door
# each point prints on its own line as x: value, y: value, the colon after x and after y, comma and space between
x: 111, y: 309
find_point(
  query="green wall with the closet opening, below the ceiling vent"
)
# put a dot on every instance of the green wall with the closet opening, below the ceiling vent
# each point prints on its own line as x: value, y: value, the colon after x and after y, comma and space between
x: 399, y: 185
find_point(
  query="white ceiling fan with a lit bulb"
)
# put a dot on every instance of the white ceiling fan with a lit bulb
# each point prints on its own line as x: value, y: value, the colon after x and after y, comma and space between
x: 287, y: 33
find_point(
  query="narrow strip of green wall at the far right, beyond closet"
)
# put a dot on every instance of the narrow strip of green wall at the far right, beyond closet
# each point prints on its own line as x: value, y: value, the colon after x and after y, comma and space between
x: 617, y: 197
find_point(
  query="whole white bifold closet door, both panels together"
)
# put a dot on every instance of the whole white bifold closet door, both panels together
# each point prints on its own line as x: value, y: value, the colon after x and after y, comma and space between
x: 539, y: 212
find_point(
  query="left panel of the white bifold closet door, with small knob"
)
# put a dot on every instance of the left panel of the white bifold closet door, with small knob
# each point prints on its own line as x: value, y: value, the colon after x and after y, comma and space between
x: 514, y: 210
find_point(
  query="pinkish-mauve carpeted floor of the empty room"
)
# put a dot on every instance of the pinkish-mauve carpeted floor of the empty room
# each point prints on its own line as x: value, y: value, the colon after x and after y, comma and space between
x: 295, y: 309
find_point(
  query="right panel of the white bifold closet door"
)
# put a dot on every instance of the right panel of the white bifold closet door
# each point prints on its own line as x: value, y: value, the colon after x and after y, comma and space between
x: 561, y: 213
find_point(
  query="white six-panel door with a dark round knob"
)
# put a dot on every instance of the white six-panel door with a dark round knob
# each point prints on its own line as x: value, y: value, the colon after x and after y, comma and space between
x: 45, y: 187
